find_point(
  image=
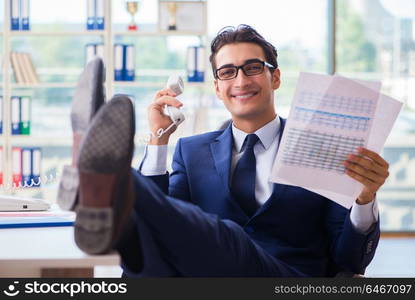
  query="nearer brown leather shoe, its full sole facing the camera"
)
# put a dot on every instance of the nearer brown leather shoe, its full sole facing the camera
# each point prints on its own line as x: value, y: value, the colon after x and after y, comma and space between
x: 106, y: 190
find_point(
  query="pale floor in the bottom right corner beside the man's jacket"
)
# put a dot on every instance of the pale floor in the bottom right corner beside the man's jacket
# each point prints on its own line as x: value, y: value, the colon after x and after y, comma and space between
x: 395, y: 257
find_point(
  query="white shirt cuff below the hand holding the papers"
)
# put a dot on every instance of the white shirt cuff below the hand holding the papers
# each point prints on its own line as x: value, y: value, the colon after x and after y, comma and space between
x: 363, y: 216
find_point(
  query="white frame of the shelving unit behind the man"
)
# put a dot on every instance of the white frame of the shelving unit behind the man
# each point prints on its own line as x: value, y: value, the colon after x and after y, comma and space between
x: 108, y: 36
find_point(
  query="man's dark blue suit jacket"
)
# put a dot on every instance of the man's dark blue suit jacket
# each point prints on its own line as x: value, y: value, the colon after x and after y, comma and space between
x: 304, y: 229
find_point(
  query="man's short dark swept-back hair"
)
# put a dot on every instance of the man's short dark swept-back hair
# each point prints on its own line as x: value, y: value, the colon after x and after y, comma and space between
x: 242, y: 34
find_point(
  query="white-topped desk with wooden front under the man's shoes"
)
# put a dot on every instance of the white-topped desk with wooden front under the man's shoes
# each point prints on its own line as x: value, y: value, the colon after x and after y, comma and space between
x: 46, y: 252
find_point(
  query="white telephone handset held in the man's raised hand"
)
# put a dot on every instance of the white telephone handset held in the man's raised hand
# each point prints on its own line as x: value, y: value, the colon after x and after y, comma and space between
x: 175, y: 83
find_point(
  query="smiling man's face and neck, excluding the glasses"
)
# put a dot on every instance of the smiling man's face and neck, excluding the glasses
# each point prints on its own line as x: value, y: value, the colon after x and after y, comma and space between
x: 246, y: 97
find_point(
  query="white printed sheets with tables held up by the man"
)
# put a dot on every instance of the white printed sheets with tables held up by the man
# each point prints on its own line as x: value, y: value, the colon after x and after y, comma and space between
x: 330, y: 117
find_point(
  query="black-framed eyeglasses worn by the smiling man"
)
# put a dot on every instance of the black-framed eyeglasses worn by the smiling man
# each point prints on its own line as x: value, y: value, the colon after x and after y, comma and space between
x: 250, y: 68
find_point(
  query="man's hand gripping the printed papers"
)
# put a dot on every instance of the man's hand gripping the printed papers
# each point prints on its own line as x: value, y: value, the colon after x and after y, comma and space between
x: 368, y: 168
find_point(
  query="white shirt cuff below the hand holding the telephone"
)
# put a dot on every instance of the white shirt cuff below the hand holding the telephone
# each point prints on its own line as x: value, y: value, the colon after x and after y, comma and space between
x: 155, y: 160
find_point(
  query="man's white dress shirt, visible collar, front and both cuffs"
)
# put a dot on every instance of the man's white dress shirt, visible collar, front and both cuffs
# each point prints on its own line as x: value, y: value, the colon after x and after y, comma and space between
x: 155, y: 163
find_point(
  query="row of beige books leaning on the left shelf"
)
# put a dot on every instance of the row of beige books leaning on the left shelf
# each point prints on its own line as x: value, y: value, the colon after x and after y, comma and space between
x: 23, y: 68
